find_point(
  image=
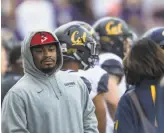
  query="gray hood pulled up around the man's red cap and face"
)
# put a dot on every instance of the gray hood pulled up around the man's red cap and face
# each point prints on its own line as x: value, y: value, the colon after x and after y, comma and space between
x: 28, y: 63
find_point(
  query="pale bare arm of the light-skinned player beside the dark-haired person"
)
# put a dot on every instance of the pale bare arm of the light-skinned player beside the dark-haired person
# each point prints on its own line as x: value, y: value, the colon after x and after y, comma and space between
x: 112, y: 96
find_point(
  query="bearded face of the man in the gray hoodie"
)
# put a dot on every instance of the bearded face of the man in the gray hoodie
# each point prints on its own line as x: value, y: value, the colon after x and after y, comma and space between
x: 45, y: 57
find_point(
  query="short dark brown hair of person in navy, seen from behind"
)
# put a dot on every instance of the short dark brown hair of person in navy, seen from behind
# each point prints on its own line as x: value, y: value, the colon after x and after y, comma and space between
x: 144, y: 61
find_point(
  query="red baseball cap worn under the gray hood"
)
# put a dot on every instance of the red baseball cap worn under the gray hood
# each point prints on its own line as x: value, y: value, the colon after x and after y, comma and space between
x: 42, y: 38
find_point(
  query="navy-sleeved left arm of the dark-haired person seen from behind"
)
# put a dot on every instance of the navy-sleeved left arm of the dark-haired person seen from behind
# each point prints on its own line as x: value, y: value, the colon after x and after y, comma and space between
x: 124, y: 120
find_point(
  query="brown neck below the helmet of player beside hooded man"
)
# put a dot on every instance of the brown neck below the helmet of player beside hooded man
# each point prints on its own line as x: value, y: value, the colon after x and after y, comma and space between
x: 71, y: 65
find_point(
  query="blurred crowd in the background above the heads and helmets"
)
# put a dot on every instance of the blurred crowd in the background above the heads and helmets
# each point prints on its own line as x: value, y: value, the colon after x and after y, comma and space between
x: 22, y: 16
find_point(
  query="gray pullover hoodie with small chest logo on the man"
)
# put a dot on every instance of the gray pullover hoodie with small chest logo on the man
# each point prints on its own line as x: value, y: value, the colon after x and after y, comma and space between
x: 39, y: 103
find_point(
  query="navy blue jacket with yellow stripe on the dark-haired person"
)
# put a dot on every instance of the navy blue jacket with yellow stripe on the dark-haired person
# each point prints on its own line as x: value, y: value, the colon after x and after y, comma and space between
x: 127, y: 118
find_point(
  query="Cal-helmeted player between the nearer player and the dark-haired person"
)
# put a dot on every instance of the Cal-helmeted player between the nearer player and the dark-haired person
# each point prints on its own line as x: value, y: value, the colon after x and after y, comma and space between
x: 115, y: 40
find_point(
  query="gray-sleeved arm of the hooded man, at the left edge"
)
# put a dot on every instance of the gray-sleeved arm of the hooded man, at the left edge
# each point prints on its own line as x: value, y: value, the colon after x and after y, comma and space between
x: 13, y: 114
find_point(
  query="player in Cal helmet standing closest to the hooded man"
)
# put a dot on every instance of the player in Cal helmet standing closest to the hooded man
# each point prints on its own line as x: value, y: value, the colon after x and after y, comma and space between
x: 80, y: 52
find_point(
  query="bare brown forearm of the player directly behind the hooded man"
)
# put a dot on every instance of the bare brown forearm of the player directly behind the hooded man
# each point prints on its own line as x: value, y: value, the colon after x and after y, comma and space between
x: 100, y: 113
